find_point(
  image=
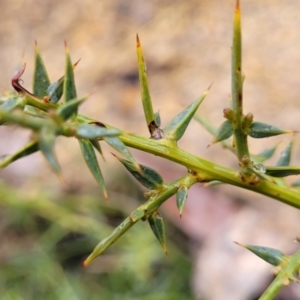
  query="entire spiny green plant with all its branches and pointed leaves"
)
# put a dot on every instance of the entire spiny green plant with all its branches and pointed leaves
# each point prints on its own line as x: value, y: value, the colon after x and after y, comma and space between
x: 52, y: 111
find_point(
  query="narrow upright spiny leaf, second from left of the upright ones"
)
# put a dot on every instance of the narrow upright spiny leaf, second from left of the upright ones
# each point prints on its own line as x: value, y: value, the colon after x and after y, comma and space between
x: 69, y: 81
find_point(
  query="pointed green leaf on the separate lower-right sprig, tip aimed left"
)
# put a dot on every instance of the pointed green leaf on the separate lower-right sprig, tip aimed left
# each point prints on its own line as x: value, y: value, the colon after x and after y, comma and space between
x: 270, y: 255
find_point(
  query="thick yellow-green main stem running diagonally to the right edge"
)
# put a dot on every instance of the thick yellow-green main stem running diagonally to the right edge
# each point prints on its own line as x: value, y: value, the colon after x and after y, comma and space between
x: 167, y: 150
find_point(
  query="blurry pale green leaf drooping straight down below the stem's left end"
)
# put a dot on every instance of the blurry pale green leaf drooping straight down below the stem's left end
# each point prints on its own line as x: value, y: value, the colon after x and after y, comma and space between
x: 46, y: 143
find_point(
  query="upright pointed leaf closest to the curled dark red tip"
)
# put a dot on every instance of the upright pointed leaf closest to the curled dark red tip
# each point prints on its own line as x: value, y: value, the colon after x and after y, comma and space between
x: 41, y: 80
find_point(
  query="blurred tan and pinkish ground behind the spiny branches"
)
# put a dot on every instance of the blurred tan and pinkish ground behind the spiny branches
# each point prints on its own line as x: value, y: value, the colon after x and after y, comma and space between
x: 187, y: 46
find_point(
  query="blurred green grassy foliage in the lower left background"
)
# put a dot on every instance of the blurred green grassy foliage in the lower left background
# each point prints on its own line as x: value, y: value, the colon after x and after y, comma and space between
x: 60, y: 230
